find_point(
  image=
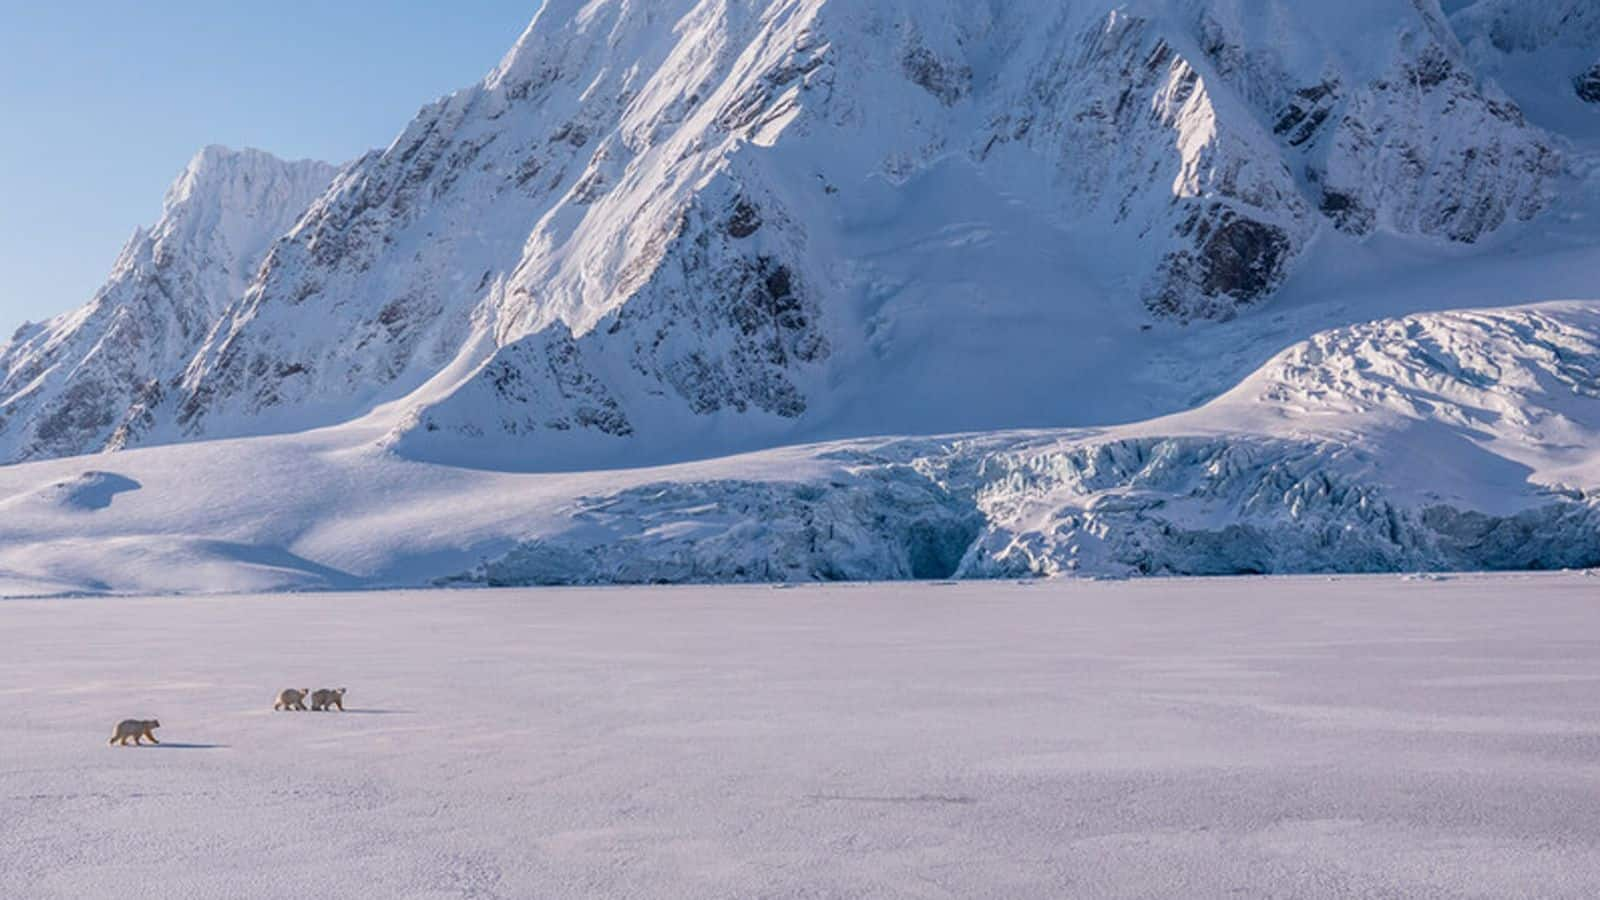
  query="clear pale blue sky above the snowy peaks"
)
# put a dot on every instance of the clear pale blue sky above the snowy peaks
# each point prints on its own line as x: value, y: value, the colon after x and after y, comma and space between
x: 103, y: 103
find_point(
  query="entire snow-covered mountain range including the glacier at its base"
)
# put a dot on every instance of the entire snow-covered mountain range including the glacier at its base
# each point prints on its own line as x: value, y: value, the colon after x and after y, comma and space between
x: 1273, y: 286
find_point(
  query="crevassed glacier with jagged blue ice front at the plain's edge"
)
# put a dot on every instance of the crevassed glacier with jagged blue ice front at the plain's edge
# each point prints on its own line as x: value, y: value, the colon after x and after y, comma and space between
x: 1444, y: 443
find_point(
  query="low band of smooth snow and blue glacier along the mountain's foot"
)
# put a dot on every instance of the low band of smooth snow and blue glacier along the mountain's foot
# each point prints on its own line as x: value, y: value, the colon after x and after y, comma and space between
x: 1431, y: 443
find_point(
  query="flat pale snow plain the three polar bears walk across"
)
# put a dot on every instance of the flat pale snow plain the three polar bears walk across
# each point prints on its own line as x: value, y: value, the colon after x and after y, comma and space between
x: 1297, y: 737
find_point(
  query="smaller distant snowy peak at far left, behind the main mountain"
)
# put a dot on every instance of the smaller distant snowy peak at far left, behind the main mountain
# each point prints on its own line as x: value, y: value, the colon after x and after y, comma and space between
x: 70, y: 385
